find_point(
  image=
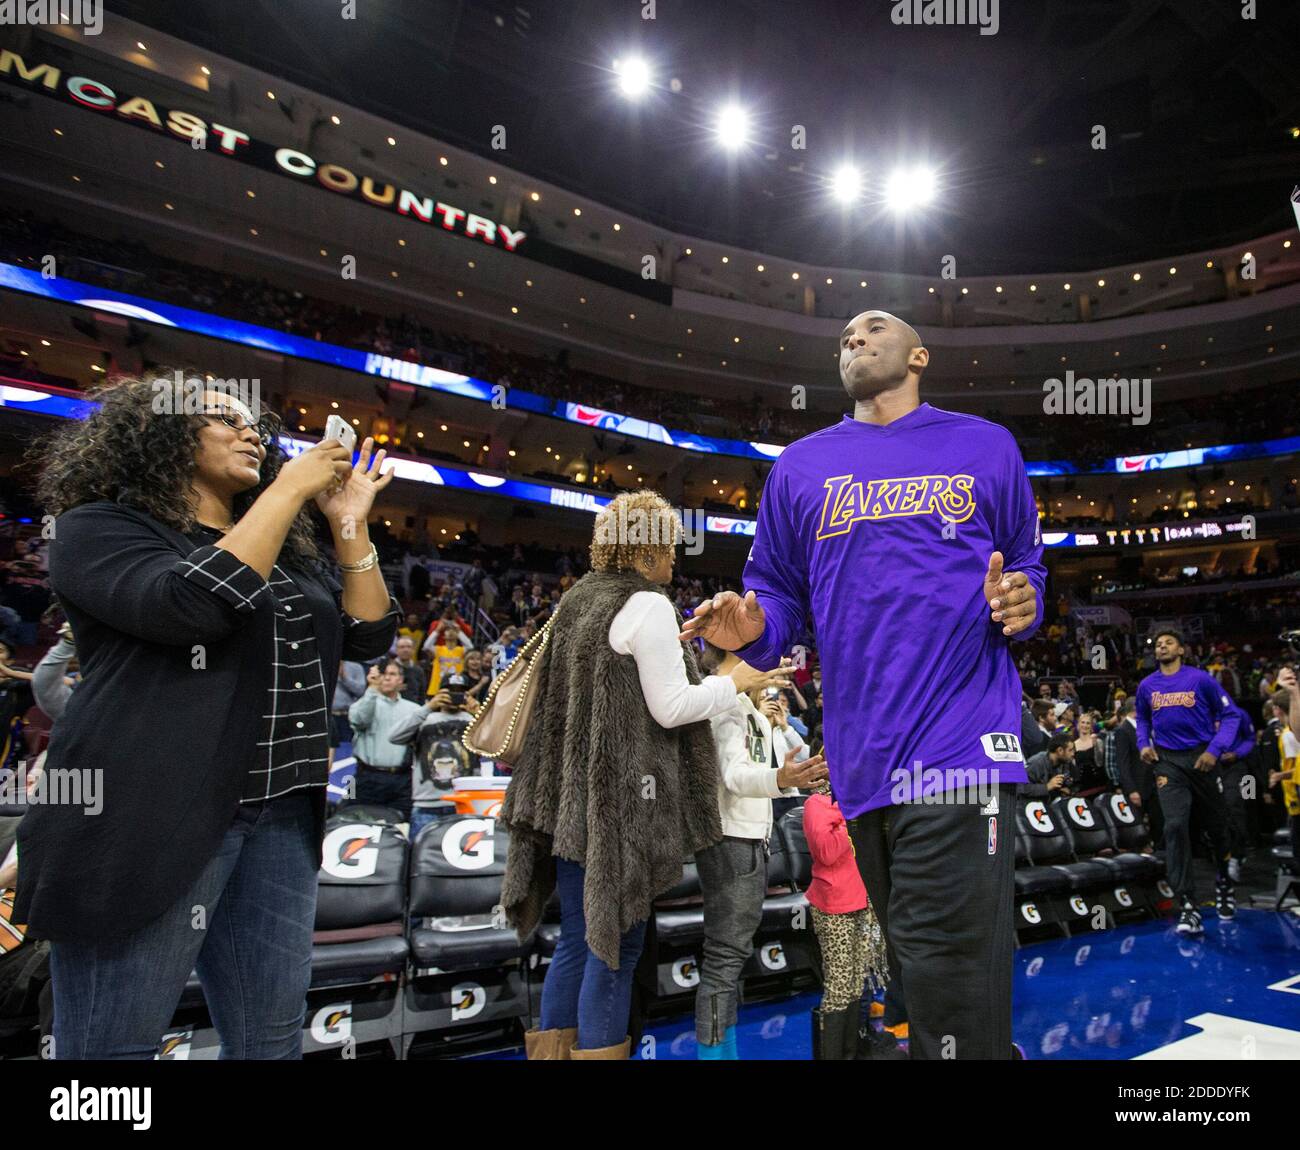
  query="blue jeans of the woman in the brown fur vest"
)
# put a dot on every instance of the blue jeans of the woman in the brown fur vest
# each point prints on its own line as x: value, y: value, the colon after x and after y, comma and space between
x: 580, y: 991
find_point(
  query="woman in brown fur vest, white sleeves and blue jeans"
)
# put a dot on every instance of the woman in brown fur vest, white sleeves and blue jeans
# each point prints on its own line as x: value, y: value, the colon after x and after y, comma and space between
x: 618, y: 782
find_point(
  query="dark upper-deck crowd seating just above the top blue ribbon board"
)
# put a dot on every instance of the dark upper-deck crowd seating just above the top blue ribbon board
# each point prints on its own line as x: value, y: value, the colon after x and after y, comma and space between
x: 132, y: 267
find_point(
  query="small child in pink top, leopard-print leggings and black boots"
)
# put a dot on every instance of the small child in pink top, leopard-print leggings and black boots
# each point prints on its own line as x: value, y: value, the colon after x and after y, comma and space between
x: 852, y: 944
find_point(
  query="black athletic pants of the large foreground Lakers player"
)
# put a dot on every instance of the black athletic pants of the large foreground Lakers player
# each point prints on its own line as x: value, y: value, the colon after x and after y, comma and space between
x: 942, y: 886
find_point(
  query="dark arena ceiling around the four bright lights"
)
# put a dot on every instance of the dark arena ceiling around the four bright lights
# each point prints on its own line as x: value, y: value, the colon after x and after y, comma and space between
x: 1198, y: 103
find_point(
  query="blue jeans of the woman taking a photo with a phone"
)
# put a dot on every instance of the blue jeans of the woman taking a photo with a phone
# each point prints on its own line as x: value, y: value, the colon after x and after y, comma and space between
x: 245, y: 927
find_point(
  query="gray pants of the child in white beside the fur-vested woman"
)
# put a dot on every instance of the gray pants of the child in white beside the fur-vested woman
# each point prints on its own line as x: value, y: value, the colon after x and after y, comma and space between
x: 734, y: 880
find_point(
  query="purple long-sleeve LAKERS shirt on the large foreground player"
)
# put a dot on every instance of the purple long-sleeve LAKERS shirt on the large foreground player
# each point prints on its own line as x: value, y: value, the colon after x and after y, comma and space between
x: 886, y: 533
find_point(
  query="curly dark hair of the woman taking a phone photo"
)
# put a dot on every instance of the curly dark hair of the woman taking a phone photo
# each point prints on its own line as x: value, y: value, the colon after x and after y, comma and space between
x: 128, y: 453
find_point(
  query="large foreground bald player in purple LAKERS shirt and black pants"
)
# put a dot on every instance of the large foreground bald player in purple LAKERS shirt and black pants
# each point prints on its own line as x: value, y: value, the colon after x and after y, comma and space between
x: 912, y: 539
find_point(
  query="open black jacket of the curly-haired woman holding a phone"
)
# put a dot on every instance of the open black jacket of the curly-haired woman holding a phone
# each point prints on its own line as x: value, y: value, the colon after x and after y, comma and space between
x: 175, y: 740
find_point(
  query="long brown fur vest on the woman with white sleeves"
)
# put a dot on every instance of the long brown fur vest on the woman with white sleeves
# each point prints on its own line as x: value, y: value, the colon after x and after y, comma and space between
x: 600, y: 783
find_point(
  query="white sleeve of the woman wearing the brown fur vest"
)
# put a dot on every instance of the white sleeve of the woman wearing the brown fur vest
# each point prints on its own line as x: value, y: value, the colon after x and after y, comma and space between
x: 647, y: 630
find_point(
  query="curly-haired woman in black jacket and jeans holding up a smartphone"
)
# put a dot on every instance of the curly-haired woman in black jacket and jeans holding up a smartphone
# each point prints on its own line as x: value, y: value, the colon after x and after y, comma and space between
x: 210, y: 635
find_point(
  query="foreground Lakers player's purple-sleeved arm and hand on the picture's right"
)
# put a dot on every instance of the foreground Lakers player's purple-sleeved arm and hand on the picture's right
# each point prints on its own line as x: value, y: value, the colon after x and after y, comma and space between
x: 1016, y: 578
